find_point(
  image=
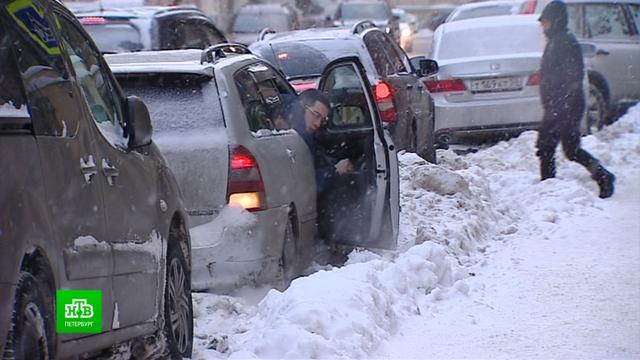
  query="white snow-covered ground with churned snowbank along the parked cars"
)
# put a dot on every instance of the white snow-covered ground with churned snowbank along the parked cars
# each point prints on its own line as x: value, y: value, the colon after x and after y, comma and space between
x: 491, y: 263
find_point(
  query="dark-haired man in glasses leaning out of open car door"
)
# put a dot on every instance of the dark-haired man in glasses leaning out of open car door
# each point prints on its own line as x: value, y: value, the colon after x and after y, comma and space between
x: 306, y: 119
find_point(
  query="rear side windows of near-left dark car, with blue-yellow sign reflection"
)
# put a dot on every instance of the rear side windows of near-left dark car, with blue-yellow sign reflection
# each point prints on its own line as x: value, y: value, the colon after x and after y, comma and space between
x: 30, y: 42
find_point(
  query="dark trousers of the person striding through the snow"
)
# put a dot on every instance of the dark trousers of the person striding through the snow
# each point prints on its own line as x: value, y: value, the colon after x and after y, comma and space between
x: 563, y: 128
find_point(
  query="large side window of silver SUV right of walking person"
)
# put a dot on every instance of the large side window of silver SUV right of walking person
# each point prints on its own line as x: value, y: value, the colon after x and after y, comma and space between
x: 606, y: 21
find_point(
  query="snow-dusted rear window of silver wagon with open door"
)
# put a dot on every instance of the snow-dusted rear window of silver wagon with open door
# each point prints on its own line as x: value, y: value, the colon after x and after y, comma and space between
x: 177, y: 103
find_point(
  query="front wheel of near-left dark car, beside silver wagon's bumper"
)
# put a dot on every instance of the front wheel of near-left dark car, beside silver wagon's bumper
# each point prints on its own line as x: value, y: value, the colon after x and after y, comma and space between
x: 178, y: 309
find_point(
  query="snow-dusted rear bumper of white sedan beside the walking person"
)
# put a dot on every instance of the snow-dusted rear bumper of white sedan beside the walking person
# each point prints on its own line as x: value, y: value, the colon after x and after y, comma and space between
x: 455, y: 122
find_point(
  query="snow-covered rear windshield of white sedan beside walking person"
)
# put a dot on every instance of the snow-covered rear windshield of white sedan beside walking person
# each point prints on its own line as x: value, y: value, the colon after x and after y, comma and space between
x: 493, y: 41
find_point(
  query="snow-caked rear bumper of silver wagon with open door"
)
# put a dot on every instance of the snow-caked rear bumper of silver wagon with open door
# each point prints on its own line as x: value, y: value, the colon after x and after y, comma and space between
x: 242, y: 254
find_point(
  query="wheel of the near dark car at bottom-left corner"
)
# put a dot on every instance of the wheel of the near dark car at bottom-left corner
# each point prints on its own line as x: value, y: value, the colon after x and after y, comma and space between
x: 31, y: 333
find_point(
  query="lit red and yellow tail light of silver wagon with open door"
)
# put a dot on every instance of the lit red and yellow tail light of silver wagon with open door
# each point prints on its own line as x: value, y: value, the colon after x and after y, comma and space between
x: 245, y: 187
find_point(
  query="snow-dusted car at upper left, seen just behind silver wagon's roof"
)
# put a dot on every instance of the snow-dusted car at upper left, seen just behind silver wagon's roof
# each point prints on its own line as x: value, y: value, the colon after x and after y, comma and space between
x: 150, y: 28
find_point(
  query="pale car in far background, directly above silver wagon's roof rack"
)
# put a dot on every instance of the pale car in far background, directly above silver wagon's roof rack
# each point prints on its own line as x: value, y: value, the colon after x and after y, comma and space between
x: 249, y: 21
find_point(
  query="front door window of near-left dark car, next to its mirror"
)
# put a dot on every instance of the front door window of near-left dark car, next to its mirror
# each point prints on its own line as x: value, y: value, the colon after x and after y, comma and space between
x: 99, y: 92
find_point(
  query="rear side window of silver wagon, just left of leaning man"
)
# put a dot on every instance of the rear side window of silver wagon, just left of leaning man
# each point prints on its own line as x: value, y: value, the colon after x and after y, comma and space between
x: 265, y: 99
